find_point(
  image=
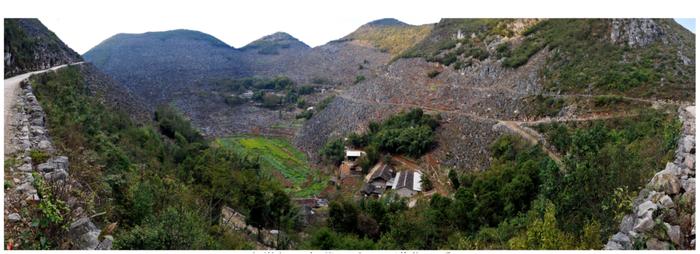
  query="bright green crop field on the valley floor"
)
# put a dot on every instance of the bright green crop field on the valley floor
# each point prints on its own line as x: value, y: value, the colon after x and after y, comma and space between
x: 279, y: 158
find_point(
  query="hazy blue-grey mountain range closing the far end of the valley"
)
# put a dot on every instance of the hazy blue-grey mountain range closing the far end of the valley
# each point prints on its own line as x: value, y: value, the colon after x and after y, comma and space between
x: 184, y: 67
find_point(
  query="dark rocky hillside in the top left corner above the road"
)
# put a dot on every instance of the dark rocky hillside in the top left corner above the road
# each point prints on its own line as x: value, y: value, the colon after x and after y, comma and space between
x: 30, y: 46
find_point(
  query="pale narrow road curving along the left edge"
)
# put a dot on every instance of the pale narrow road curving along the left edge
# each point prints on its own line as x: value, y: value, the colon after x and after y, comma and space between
x: 11, y: 93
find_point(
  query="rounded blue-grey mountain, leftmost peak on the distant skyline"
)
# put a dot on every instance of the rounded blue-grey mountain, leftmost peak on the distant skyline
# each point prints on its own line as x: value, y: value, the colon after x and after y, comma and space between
x: 157, y: 64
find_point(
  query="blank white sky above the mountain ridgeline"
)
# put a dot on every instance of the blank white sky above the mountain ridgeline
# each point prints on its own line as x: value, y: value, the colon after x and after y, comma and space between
x: 83, y: 24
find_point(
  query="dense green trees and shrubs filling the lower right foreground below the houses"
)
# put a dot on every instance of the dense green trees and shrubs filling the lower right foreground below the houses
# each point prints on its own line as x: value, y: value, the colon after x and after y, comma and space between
x: 523, y: 201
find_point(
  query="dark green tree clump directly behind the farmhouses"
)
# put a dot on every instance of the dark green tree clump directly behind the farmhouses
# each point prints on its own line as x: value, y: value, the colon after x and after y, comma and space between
x: 410, y: 133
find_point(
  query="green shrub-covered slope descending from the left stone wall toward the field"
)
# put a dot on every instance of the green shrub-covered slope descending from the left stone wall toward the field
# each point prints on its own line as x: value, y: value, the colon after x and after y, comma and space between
x: 160, y: 181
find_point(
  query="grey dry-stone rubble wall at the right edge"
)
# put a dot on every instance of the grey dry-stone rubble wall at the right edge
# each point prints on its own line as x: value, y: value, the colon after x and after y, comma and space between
x: 663, y: 213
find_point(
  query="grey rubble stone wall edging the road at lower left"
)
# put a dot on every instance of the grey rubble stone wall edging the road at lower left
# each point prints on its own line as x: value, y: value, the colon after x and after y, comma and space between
x: 29, y: 136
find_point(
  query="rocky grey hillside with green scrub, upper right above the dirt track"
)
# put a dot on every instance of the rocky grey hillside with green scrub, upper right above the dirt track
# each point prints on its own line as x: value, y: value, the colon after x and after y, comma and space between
x: 487, y: 70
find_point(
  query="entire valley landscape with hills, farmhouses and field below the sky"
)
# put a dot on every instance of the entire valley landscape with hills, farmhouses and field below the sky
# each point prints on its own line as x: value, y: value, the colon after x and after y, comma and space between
x: 463, y: 134
